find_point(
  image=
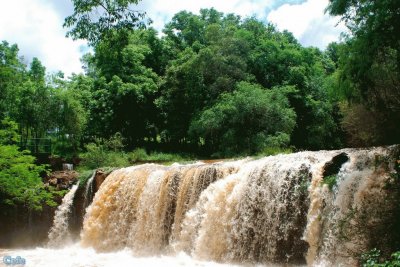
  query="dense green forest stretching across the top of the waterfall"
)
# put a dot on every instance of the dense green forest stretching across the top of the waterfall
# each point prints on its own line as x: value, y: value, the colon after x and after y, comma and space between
x: 210, y: 85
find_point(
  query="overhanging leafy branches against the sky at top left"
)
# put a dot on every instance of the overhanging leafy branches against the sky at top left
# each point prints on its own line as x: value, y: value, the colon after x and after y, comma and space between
x: 94, y: 19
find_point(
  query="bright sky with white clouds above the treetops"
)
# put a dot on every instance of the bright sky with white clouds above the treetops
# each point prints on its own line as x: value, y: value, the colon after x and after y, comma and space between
x: 36, y: 25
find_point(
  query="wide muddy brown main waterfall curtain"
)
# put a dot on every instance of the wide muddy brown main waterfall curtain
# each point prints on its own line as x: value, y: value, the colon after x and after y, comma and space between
x: 277, y: 209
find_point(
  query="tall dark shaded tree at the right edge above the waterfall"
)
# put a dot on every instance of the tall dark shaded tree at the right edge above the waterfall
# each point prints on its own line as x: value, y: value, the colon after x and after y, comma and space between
x: 369, y: 67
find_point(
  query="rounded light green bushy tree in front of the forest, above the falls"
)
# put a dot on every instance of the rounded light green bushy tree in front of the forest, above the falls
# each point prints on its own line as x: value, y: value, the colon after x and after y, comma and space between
x: 247, y: 120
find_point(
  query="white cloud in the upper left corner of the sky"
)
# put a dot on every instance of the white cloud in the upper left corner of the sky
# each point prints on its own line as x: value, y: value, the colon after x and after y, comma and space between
x: 37, y: 30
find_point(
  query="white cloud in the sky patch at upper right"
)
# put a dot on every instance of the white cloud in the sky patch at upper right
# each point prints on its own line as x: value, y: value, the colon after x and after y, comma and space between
x: 308, y: 22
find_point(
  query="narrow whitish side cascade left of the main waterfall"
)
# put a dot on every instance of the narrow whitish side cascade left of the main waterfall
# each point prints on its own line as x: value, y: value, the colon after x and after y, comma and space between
x: 59, y: 233
